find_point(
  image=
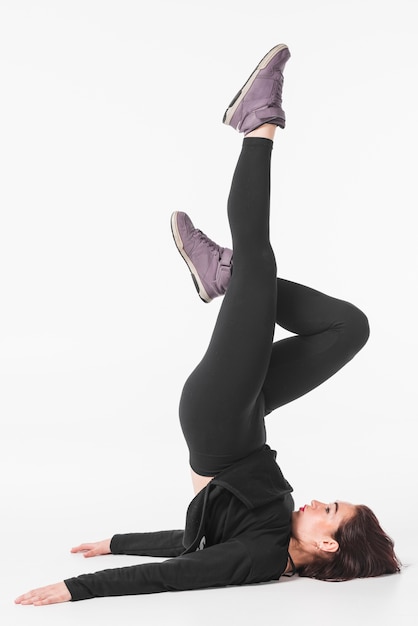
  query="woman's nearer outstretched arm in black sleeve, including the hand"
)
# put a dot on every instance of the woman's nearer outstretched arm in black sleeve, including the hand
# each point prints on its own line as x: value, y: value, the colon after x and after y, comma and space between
x: 234, y: 562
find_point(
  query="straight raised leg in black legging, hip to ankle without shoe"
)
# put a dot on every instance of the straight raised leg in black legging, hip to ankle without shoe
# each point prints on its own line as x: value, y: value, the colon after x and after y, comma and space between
x: 221, y: 407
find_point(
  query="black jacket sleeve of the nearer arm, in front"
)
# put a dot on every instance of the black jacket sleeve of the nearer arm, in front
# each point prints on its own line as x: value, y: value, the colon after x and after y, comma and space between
x: 217, y: 566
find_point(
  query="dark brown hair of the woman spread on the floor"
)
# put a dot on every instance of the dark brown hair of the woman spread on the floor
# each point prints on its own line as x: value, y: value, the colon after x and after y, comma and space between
x: 365, y: 550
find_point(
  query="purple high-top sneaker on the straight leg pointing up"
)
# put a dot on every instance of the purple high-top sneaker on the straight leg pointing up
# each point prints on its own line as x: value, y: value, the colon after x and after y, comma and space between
x: 259, y: 101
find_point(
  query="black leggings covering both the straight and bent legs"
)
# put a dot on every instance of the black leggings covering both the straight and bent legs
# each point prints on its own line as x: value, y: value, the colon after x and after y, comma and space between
x: 244, y: 375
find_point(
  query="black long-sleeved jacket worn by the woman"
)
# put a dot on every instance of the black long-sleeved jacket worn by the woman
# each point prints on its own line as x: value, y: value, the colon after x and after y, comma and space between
x: 237, y: 533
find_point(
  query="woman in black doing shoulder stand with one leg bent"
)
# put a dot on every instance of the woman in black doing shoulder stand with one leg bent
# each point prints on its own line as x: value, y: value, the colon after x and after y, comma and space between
x: 241, y: 527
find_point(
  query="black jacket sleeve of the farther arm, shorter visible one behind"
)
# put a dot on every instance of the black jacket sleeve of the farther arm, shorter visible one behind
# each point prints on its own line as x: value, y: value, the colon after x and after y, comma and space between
x: 162, y: 543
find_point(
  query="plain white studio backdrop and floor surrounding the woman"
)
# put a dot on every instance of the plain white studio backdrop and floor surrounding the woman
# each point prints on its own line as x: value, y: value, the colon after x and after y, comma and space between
x: 110, y: 114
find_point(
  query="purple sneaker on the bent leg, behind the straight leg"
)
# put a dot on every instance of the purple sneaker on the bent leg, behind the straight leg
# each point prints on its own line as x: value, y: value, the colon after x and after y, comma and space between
x: 209, y: 264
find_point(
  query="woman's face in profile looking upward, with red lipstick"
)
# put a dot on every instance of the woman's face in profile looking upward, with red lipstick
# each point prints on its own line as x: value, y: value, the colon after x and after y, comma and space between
x: 318, y: 522
